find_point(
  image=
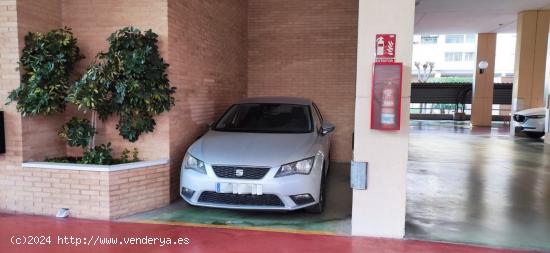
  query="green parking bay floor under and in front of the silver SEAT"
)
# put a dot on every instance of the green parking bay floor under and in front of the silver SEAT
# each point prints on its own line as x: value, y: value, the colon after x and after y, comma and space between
x: 336, y: 219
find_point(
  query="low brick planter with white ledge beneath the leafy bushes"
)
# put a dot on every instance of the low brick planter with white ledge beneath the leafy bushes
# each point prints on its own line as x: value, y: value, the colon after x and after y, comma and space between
x: 89, y: 191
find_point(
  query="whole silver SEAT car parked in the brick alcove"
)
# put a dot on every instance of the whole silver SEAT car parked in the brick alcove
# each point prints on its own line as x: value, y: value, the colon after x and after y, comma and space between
x: 262, y: 154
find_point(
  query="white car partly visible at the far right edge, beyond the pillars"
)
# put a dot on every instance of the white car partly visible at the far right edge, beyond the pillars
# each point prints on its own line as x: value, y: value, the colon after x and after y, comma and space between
x: 531, y: 121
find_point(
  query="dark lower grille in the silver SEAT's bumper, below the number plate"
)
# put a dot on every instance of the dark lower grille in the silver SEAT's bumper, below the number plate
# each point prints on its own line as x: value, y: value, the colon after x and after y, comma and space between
x: 240, y: 199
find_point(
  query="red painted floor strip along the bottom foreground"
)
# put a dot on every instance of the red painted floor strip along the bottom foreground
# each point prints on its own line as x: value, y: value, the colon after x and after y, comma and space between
x: 17, y: 228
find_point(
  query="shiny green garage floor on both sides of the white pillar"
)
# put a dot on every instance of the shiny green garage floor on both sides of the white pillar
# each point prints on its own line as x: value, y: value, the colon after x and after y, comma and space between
x: 465, y: 185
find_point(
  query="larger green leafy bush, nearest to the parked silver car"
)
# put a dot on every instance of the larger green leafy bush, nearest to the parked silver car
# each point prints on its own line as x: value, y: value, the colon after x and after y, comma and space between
x: 128, y: 80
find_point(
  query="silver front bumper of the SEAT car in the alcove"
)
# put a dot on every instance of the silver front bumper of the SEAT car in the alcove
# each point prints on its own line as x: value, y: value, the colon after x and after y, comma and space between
x: 282, y: 188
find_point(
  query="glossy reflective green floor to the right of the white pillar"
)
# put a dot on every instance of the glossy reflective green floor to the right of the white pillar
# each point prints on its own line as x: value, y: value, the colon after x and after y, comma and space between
x: 477, y: 186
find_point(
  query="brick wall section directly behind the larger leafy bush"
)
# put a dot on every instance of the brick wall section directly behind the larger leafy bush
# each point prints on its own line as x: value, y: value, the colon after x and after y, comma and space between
x: 92, y: 22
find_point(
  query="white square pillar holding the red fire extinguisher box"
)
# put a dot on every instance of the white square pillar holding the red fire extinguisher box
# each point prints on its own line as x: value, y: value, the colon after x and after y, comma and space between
x: 380, y: 209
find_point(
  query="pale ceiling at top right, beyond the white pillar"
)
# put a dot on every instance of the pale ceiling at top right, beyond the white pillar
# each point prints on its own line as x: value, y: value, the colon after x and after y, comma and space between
x: 471, y: 16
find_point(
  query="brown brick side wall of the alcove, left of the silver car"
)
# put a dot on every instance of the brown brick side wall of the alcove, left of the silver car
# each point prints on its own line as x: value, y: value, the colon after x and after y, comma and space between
x: 207, y: 40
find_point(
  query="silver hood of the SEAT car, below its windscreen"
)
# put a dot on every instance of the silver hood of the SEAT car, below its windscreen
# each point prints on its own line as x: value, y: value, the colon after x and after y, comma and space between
x: 252, y: 149
